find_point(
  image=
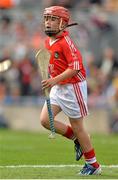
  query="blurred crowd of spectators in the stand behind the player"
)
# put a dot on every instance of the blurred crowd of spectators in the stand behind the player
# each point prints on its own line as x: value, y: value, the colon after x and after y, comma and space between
x: 21, y: 35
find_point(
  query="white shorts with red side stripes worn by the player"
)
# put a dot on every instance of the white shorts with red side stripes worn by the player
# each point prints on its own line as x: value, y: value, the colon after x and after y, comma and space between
x: 71, y: 98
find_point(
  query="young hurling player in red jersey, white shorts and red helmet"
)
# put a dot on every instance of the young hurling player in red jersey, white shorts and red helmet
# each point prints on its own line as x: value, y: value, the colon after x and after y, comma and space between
x: 68, y: 87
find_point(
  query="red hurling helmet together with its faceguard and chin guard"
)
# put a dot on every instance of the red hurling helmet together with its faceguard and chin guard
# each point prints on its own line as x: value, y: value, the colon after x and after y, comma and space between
x: 60, y: 13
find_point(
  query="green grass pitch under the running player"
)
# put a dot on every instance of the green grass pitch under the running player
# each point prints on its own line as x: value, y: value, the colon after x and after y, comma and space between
x: 24, y: 155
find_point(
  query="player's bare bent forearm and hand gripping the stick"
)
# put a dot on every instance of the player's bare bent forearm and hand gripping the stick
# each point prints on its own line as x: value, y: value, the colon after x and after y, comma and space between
x: 68, y: 73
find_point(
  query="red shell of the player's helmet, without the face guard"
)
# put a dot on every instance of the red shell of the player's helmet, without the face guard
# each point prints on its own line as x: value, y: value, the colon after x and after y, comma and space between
x: 57, y: 11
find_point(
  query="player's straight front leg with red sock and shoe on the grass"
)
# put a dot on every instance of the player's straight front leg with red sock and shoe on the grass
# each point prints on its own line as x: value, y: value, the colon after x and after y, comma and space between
x: 91, y: 166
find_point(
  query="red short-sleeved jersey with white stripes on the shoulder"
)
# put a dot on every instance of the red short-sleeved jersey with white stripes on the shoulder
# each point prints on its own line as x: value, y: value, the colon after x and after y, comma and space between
x: 65, y: 55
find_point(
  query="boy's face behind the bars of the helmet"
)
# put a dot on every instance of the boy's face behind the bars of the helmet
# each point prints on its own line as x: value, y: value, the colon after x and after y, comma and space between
x: 51, y: 23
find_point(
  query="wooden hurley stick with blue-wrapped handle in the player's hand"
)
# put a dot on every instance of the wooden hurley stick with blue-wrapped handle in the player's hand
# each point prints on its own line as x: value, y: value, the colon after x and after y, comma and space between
x: 42, y: 57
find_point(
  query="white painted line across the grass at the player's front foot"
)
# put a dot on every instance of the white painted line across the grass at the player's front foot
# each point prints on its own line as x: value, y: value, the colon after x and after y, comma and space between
x: 52, y: 166
